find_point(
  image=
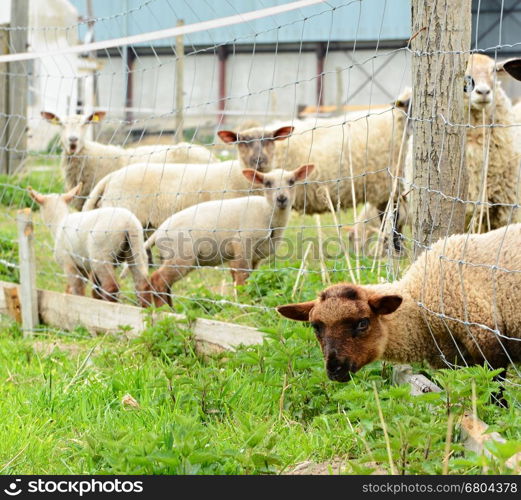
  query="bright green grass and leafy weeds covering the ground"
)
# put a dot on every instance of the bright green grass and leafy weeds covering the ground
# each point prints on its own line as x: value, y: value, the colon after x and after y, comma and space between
x: 259, y: 410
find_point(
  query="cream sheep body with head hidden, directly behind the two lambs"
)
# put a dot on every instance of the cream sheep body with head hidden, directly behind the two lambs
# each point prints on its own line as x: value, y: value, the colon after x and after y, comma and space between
x: 153, y: 192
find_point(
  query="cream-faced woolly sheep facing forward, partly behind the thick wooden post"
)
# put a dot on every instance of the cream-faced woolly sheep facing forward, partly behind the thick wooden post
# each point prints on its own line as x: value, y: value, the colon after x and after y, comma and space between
x: 492, y: 152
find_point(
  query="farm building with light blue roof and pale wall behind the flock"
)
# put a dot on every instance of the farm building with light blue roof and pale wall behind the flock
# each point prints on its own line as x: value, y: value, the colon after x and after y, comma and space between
x: 270, y: 66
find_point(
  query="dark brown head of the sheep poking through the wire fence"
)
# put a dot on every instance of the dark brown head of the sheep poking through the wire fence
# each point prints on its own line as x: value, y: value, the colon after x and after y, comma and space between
x: 349, y: 325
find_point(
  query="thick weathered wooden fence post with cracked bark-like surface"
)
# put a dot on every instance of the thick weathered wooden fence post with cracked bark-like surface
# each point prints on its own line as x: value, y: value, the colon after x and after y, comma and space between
x: 440, y: 43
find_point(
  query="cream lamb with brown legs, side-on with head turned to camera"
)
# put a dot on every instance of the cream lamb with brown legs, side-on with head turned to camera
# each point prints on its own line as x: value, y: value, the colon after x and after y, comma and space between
x: 242, y: 231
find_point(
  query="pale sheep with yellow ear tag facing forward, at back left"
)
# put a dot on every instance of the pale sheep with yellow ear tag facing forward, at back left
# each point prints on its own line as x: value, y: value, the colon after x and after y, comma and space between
x: 87, y: 162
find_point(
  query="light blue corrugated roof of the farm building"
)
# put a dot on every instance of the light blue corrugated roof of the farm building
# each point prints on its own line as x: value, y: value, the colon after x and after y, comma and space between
x: 336, y: 20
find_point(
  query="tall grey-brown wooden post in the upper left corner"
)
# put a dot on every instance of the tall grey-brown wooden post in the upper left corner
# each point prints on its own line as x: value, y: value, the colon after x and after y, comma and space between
x: 18, y: 86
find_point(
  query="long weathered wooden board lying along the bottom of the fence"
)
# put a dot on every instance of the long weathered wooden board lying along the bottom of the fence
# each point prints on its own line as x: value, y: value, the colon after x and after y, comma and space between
x: 65, y: 311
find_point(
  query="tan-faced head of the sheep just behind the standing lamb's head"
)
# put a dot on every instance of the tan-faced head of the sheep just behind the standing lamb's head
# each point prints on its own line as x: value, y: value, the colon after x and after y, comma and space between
x: 256, y: 146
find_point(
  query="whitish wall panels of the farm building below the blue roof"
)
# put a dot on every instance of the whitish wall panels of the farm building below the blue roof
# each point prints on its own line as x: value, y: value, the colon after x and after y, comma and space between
x: 261, y: 86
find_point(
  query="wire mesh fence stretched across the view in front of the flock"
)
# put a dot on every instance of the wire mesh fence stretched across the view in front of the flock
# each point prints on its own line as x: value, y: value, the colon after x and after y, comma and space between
x: 202, y: 186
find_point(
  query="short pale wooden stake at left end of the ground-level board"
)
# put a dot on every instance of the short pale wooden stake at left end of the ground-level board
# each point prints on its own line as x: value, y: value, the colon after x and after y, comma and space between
x: 28, y: 293
